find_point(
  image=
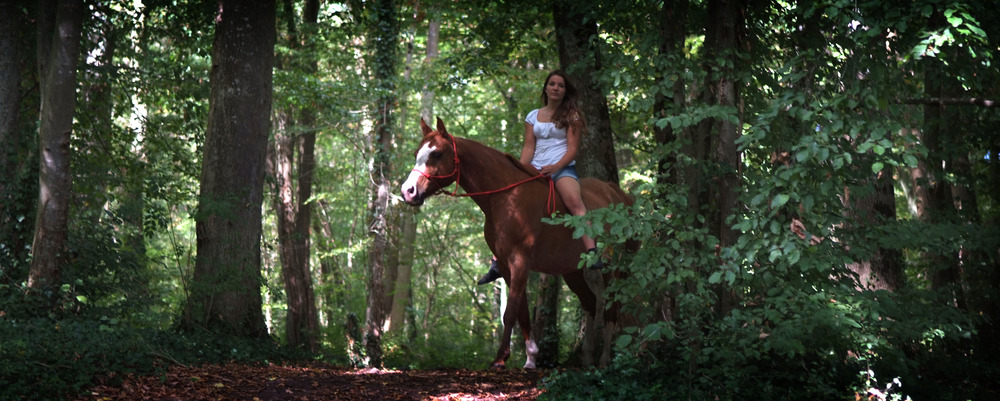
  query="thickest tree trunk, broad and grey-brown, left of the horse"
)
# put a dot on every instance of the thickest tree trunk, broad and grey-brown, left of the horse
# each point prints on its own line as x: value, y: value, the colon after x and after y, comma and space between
x: 225, y: 290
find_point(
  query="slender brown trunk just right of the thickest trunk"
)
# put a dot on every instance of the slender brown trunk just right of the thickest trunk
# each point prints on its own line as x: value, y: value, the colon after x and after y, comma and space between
x: 291, y: 199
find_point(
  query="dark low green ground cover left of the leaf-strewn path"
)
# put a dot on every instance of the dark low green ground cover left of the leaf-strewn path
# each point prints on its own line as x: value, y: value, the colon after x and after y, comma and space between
x: 58, y: 358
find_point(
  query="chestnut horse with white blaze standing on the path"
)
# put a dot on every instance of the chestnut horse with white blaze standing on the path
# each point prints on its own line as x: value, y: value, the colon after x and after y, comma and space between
x: 515, y: 199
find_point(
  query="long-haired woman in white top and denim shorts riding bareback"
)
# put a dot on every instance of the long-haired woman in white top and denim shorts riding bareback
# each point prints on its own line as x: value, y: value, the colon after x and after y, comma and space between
x: 552, y: 136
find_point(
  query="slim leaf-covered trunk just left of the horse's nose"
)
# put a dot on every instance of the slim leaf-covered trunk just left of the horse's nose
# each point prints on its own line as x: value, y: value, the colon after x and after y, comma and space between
x: 384, y: 40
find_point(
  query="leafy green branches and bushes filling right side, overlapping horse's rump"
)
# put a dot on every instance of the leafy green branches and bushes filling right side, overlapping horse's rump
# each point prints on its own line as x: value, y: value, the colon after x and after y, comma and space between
x: 801, y: 328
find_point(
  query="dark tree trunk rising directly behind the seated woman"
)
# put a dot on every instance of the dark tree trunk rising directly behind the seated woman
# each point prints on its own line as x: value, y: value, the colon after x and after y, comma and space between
x: 575, y: 29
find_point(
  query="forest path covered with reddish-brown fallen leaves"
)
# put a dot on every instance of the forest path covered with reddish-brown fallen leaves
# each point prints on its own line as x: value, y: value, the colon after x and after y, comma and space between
x: 319, y: 382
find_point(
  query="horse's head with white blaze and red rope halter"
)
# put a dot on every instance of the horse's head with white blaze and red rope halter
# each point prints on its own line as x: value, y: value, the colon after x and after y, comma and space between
x: 436, y: 165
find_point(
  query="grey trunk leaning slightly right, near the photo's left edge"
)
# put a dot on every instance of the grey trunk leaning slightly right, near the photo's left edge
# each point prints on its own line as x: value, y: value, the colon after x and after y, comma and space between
x: 60, y: 25
